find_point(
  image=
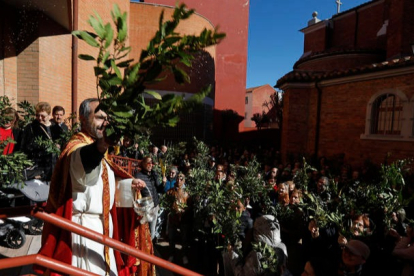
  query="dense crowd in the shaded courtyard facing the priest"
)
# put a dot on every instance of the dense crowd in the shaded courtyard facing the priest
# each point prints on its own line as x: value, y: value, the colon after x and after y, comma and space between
x: 363, y: 242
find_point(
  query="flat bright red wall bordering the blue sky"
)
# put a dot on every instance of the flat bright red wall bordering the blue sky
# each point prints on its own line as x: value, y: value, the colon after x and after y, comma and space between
x: 231, y: 54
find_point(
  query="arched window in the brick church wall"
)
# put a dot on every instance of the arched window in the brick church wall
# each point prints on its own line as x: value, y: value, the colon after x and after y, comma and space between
x: 386, y: 116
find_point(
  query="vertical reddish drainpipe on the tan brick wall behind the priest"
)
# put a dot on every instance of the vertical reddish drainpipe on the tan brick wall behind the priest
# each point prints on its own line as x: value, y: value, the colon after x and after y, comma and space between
x: 74, y: 59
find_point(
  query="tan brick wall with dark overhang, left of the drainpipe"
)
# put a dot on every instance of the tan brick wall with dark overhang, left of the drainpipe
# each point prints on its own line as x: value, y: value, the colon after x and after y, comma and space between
x: 36, y: 55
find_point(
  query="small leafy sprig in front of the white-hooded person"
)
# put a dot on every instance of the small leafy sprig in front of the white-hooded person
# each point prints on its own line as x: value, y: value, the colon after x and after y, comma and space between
x: 267, y: 258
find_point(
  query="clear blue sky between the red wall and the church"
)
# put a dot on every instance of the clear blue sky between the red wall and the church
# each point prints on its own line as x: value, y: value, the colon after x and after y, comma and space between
x: 275, y: 42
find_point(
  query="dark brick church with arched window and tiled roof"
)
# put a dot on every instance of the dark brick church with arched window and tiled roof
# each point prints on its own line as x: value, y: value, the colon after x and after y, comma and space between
x: 352, y: 90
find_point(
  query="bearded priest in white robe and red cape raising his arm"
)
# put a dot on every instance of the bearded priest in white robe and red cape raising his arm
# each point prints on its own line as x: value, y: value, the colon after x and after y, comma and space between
x: 83, y: 191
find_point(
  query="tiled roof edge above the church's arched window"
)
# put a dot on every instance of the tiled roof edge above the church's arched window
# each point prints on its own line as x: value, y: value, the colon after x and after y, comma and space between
x: 310, y: 76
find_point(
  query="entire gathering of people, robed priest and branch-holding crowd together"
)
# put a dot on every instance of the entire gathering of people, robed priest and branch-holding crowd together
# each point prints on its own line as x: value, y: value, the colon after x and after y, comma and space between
x: 287, y: 218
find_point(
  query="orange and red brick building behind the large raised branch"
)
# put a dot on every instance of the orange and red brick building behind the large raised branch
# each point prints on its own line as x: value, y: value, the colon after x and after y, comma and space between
x: 38, y: 54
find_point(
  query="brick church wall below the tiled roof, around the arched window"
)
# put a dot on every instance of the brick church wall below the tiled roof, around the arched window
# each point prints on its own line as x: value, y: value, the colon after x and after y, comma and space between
x: 343, y: 114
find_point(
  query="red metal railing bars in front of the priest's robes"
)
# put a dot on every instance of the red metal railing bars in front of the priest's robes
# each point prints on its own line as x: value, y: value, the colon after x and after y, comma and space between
x: 90, y: 234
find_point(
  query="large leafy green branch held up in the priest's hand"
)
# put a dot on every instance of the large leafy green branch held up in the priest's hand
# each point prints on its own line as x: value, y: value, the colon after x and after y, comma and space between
x: 121, y: 84
